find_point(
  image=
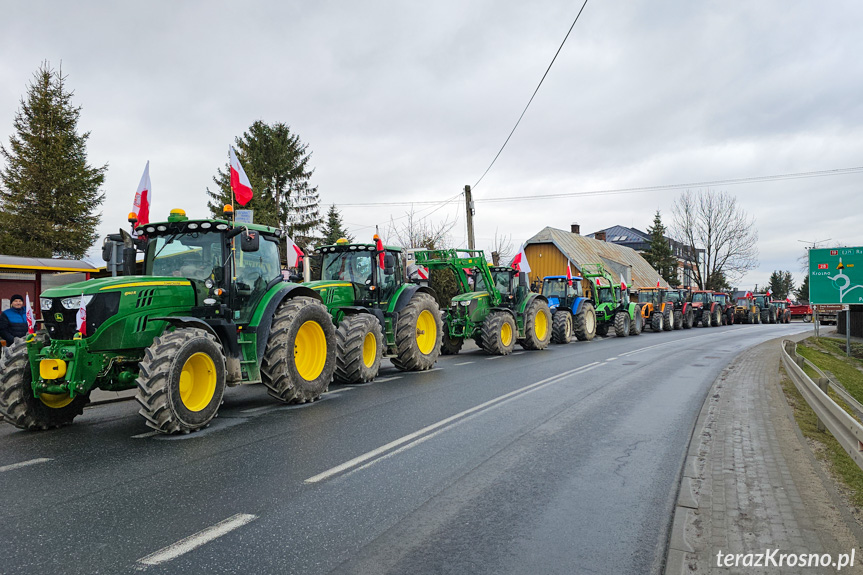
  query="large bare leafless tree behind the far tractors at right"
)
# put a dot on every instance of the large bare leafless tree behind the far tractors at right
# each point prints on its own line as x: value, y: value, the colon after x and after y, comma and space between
x: 713, y: 222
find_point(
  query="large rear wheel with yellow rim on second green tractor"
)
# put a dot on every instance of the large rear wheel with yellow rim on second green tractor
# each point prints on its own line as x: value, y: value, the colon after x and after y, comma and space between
x: 416, y: 349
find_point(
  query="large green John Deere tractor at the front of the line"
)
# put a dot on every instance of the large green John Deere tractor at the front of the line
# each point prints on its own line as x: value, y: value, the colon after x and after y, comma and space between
x: 210, y: 310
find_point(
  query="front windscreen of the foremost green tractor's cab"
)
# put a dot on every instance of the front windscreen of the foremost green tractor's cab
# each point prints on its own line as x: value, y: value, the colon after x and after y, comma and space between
x: 193, y: 256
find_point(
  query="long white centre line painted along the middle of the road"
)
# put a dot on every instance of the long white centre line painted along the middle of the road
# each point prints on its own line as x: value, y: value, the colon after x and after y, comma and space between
x: 365, y: 458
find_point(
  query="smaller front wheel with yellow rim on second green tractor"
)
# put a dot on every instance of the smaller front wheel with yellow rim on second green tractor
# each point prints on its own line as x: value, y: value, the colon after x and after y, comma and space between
x: 359, y: 348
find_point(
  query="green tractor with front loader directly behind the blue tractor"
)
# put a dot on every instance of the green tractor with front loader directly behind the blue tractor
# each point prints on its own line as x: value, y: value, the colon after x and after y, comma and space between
x: 611, y: 301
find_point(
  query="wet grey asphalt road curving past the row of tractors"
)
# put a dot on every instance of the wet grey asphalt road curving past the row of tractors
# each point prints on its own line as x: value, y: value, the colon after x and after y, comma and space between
x: 560, y: 461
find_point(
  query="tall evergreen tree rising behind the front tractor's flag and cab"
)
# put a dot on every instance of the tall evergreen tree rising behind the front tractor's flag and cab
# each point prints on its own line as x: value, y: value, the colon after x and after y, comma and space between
x: 277, y: 163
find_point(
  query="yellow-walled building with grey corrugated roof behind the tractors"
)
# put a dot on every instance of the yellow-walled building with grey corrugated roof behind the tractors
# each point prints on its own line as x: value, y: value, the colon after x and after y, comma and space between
x: 548, y: 252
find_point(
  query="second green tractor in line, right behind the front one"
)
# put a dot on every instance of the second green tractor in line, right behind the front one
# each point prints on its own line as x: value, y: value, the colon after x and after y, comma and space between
x: 375, y: 309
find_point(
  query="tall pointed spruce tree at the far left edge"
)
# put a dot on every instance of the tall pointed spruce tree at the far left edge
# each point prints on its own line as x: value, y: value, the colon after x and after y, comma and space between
x: 48, y: 193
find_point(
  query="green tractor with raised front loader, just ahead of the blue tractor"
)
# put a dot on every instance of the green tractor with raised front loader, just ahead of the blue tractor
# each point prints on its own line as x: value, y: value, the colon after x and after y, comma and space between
x: 492, y: 307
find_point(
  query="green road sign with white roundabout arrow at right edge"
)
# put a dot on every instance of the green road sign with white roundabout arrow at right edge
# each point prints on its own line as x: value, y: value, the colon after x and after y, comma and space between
x: 836, y: 276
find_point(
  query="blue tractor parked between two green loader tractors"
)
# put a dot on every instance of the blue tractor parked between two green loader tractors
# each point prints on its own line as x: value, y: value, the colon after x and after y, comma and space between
x: 572, y: 313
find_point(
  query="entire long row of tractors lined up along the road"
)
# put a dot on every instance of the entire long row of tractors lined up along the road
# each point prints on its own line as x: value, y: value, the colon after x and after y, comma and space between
x: 210, y: 308
